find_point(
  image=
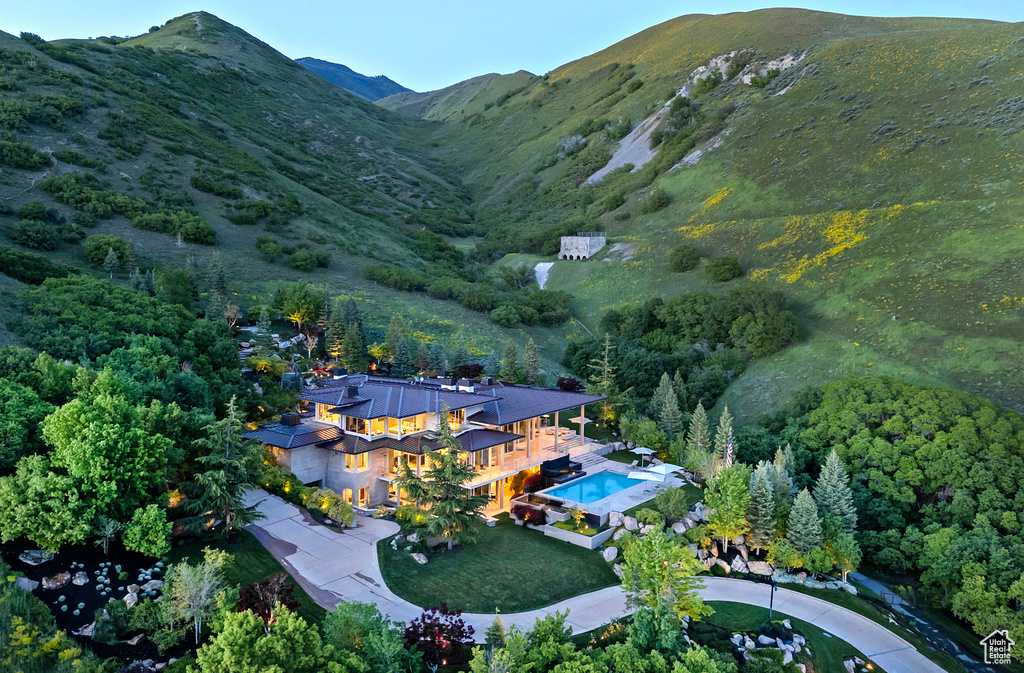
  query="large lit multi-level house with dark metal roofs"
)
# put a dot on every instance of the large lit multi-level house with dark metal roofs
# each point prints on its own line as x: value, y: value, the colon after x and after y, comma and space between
x: 360, y: 428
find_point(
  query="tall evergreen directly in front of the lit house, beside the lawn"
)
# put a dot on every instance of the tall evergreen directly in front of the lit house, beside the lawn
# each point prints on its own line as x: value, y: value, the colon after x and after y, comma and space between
x: 454, y: 514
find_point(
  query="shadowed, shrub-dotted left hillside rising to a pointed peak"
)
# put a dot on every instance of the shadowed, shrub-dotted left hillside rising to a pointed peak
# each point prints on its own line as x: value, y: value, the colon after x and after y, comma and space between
x: 201, y: 118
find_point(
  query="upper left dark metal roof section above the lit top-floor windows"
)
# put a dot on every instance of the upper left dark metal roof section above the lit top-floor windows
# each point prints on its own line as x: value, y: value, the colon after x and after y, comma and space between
x: 380, y: 397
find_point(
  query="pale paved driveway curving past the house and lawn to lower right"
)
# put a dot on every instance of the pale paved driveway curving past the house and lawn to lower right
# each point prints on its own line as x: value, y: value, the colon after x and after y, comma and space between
x: 336, y: 567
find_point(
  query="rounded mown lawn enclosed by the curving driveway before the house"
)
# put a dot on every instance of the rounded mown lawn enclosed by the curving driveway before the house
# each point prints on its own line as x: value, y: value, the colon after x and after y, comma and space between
x: 510, y: 568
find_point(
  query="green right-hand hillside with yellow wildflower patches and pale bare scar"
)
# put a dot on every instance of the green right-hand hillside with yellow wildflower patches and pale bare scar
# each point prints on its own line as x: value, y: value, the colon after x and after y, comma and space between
x: 878, y: 183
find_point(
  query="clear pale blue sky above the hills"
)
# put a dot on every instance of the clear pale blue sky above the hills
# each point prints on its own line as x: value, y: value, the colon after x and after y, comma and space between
x: 429, y: 45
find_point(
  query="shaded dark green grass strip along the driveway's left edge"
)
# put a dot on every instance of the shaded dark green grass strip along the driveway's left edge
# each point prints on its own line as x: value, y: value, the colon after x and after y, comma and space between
x: 252, y: 564
